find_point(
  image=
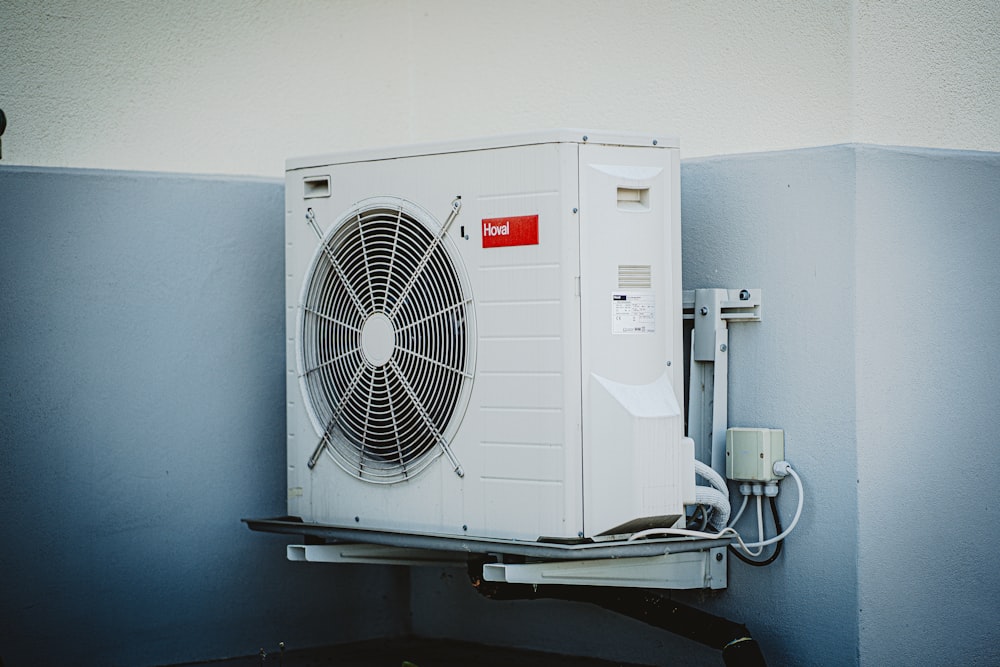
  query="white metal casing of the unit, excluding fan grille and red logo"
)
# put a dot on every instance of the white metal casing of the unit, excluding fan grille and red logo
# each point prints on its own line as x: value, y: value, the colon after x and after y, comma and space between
x: 573, y: 426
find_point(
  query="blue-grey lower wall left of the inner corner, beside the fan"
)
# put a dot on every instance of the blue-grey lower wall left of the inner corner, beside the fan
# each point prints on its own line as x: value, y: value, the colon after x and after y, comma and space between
x: 142, y: 357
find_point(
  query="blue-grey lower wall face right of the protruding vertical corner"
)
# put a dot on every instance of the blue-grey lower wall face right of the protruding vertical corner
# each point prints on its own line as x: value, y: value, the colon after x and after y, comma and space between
x: 927, y: 385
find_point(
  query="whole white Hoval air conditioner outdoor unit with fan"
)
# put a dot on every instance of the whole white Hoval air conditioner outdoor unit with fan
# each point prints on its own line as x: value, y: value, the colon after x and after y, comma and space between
x: 484, y: 338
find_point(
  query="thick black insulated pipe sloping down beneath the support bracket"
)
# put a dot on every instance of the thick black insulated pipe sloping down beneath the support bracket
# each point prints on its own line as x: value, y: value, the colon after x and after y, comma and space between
x: 738, y: 648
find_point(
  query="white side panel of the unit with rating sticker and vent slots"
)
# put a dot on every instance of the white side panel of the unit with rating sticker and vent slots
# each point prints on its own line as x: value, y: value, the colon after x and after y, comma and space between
x: 631, y: 312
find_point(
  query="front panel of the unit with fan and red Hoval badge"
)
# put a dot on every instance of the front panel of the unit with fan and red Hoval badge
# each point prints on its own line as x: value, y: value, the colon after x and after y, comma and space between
x: 515, y: 432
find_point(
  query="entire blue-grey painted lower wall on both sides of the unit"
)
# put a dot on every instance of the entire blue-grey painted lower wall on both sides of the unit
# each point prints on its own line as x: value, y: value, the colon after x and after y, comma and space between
x: 142, y: 359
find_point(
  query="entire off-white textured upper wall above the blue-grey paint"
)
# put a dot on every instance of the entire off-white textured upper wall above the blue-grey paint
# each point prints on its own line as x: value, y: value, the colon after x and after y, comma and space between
x: 236, y: 87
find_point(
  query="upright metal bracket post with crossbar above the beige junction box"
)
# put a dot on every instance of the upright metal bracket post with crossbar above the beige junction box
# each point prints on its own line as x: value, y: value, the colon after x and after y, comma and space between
x: 708, y: 394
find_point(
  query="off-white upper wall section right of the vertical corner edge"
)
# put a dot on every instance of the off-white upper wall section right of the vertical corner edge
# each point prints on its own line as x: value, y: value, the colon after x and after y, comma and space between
x: 927, y: 74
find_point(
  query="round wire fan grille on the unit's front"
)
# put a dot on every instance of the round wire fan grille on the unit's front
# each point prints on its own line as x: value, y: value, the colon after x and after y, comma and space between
x: 385, y: 341
